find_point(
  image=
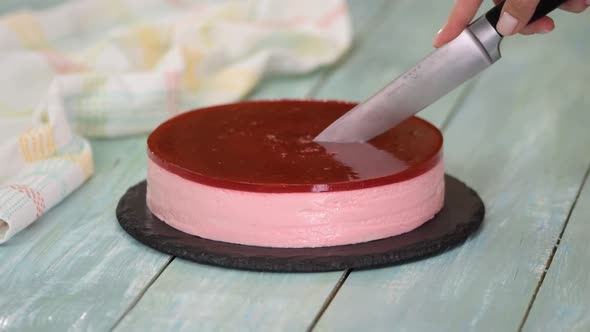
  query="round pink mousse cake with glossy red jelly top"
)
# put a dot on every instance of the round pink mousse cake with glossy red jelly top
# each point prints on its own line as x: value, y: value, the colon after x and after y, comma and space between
x: 250, y: 173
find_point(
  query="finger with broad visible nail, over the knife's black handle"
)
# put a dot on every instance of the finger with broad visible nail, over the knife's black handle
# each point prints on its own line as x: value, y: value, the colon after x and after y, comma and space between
x: 515, y: 16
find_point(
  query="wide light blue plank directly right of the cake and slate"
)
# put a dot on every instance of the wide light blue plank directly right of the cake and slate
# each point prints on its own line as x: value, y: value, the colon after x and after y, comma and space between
x: 520, y: 139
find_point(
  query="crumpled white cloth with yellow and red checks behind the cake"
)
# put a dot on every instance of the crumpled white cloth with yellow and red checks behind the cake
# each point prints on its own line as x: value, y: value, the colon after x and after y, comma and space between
x: 103, y: 68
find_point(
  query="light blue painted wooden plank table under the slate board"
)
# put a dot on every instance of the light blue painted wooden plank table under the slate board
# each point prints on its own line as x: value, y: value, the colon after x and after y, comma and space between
x: 519, y: 134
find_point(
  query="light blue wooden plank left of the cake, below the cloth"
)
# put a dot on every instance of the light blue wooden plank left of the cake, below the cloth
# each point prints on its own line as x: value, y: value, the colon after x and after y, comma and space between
x: 74, y: 269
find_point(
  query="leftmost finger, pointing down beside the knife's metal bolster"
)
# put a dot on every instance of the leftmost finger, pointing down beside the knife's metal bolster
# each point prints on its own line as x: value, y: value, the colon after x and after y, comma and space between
x: 461, y: 15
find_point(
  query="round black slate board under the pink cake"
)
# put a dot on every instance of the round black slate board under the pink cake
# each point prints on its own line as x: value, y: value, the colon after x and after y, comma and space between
x: 462, y: 215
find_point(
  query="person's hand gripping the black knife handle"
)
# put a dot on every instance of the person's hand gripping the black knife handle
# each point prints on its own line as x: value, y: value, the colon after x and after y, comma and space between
x: 514, y: 18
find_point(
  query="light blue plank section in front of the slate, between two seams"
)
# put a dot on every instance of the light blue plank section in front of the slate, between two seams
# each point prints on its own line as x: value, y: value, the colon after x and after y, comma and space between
x: 193, y: 297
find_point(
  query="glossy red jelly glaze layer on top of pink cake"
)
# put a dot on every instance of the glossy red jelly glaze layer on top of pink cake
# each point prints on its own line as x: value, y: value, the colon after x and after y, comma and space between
x: 267, y: 146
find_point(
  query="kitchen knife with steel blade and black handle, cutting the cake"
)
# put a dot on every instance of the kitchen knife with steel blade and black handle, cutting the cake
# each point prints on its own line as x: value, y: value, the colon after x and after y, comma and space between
x: 446, y: 68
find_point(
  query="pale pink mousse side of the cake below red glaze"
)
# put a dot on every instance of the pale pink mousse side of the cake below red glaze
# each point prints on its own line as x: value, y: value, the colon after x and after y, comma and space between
x: 301, y: 219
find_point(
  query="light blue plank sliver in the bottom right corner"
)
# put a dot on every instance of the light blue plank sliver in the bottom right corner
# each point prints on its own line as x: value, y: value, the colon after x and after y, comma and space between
x: 563, y: 302
